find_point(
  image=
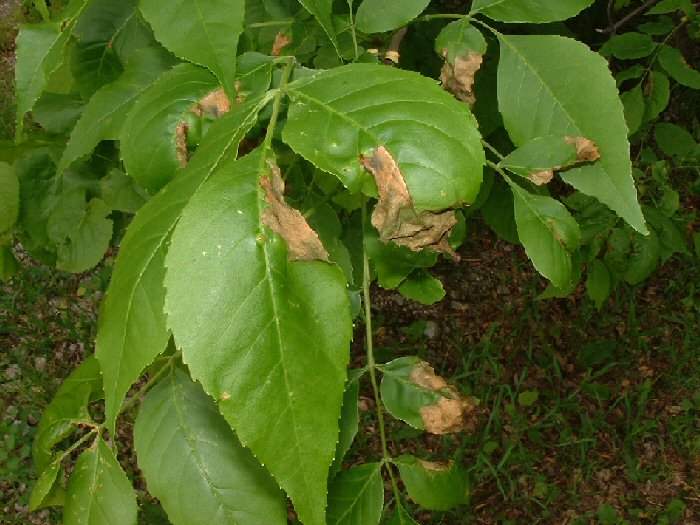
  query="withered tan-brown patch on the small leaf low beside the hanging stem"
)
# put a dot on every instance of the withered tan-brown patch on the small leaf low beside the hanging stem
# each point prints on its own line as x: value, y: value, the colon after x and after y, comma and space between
x: 452, y: 412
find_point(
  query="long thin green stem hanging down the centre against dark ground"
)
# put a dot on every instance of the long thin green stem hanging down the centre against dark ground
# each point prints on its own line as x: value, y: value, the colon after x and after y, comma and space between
x: 371, y: 363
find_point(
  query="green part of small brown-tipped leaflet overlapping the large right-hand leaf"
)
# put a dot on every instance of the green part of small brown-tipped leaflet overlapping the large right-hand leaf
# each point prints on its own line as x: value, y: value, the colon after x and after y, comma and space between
x: 539, y: 154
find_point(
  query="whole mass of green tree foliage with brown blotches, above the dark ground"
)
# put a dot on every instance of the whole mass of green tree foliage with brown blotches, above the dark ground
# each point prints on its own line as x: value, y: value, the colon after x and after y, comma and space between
x: 277, y: 157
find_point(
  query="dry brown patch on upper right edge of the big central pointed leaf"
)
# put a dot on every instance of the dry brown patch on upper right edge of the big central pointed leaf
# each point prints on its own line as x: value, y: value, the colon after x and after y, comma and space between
x: 303, y: 243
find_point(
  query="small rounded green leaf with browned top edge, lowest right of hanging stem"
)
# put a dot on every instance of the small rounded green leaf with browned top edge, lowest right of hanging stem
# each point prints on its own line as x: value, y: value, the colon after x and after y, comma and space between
x: 434, y: 486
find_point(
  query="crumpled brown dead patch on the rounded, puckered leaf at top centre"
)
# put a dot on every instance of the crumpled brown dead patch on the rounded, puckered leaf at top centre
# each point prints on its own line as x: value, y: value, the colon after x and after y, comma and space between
x: 394, y: 215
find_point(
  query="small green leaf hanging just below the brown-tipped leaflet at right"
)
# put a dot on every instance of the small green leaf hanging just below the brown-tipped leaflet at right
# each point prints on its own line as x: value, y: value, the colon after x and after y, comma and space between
x: 548, y: 232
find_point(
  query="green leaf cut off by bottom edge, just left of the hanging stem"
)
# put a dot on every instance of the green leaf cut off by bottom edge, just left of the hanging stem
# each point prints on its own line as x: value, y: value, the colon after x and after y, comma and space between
x: 356, y: 496
